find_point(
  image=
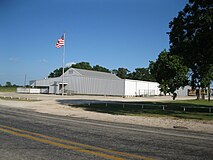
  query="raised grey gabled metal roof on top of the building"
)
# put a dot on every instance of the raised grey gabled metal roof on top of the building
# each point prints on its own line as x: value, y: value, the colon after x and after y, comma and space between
x: 89, y: 73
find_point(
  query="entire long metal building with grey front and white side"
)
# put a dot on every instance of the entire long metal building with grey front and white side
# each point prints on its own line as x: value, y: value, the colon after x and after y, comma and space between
x: 79, y: 81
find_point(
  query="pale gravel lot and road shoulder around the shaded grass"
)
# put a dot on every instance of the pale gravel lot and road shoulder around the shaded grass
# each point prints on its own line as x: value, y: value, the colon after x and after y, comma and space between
x: 51, y: 104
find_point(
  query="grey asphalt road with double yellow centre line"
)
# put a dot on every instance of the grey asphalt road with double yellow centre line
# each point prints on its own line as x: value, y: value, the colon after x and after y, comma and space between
x: 26, y: 135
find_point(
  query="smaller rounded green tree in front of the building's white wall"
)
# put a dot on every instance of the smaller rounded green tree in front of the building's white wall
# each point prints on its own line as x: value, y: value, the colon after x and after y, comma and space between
x: 169, y: 72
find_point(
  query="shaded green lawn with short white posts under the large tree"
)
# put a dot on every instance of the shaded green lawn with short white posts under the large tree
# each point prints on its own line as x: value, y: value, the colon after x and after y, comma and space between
x: 194, y: 109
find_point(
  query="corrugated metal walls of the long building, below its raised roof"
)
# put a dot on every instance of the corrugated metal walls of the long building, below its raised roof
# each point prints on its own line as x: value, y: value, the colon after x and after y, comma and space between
x: 78, y: 84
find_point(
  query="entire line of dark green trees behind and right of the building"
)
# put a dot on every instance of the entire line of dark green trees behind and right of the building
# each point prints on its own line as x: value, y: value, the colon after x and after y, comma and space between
x: 189, y: 60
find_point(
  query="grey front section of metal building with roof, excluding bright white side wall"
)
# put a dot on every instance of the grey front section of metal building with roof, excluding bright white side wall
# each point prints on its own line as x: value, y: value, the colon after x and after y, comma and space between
x: 79, y: 81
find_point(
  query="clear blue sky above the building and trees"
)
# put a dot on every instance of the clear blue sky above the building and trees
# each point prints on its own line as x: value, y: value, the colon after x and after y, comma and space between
x: 110, y: 33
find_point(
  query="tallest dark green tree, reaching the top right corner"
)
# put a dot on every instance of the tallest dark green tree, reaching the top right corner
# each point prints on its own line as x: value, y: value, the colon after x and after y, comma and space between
x: 191, y: 37
